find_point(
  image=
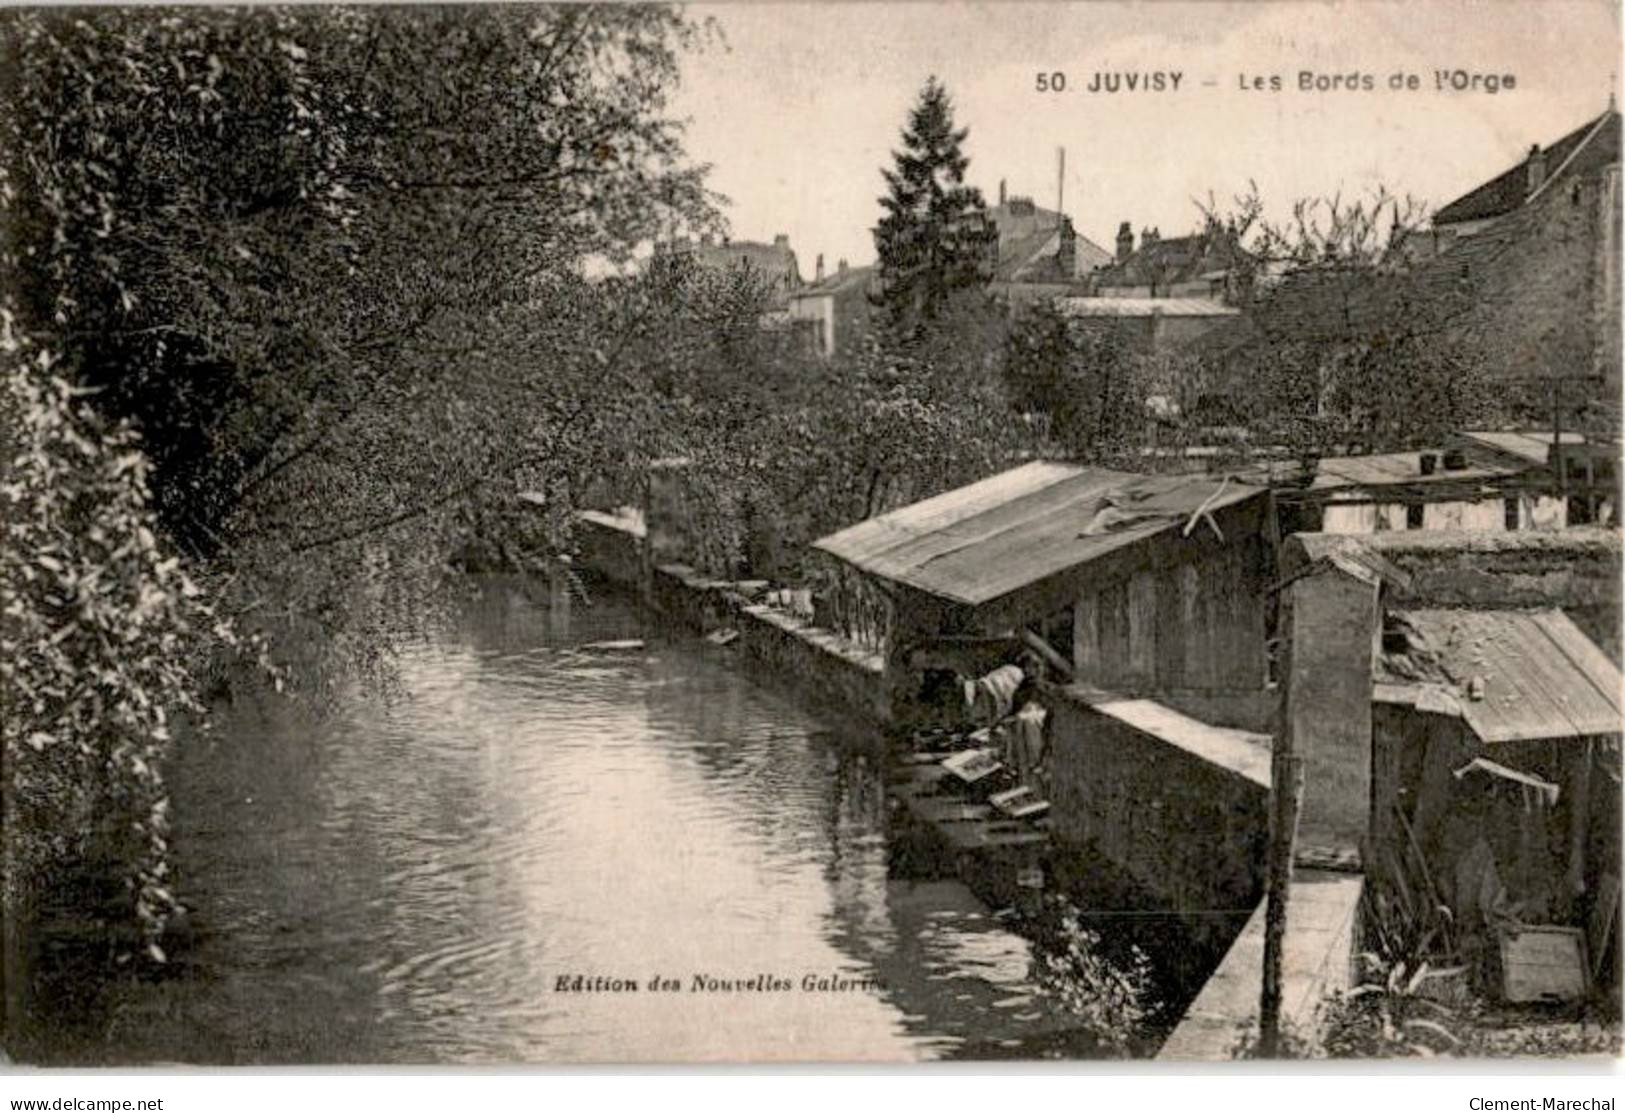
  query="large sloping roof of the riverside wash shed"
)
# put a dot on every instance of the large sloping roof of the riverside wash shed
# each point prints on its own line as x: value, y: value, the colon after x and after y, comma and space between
x: 1003, y: 534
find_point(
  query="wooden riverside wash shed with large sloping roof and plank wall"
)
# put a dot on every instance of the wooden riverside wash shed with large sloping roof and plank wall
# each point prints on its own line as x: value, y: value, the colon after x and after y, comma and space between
x: 1163, y: 578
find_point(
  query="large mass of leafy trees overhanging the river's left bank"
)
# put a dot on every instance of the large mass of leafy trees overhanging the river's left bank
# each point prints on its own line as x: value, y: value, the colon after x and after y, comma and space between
x: 287, y: 290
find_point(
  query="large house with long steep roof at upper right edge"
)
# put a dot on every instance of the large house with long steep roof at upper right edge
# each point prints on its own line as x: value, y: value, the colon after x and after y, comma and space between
x: 1522, y: 285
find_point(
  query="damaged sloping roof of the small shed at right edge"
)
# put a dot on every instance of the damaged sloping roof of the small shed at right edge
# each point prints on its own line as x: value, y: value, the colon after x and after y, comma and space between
x: 1517, y: 675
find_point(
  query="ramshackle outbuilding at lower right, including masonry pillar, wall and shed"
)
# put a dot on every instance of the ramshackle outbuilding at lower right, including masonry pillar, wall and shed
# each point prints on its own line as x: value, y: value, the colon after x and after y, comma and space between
x: 1462, y: 722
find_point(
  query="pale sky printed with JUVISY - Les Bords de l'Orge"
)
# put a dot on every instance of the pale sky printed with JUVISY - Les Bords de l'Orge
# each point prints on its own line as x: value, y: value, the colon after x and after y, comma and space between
x: 805, y: 103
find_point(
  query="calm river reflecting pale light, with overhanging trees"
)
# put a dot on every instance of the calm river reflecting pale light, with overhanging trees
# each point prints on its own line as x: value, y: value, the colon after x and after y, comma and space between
x: 420, y: 878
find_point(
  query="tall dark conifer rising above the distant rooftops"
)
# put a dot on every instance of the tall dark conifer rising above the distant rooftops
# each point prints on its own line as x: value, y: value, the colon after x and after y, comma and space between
x: 935, y: 238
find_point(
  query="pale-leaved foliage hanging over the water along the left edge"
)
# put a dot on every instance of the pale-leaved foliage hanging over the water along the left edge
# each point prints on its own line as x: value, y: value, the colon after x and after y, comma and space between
x: 98, y: 644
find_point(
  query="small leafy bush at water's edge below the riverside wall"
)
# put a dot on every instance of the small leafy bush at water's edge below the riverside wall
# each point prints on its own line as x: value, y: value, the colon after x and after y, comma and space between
x: 1111, y: 995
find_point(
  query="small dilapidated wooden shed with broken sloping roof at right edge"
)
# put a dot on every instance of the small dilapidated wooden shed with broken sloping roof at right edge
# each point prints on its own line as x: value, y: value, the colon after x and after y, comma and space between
x: 1497, y: 761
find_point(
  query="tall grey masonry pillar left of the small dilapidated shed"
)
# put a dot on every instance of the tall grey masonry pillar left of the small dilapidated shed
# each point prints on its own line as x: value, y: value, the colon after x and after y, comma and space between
x: 1330, y: 623
